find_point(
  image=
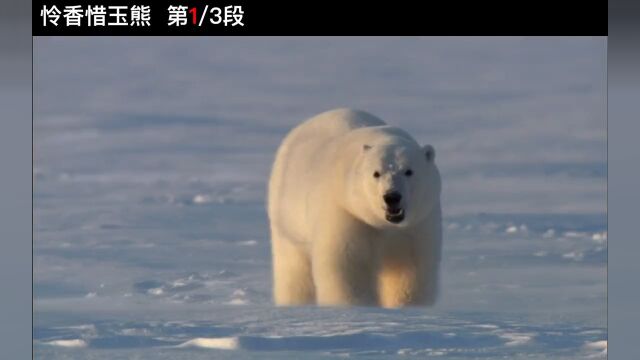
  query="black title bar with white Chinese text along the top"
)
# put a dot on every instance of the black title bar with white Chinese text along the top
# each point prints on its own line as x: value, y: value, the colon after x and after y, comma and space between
x: 263, y: 17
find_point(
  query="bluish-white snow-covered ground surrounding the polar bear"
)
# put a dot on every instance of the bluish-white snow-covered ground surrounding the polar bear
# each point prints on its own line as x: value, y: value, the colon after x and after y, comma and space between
x: 151, y: 161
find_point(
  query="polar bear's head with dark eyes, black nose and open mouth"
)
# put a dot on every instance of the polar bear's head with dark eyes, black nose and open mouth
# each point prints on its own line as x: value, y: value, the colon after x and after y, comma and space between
x: 394, y: 182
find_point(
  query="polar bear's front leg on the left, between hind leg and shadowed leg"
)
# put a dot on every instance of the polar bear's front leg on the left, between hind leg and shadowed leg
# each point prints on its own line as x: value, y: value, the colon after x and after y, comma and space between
x: 344, y: 267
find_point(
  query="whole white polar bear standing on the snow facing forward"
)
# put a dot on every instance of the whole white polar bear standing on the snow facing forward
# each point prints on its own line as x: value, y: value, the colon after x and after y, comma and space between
x: 354, y: 210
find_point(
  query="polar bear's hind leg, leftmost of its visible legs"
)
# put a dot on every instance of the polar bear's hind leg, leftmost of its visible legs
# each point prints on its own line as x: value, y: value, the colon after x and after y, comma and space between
x: 292, y: 281
